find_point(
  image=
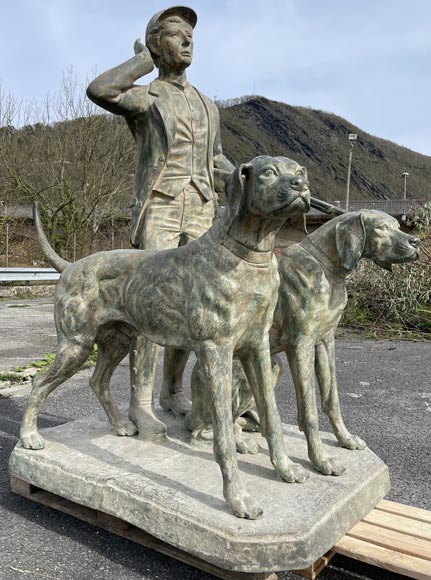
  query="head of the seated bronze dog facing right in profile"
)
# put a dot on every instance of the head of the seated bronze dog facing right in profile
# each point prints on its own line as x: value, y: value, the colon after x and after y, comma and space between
x: 374, y: 235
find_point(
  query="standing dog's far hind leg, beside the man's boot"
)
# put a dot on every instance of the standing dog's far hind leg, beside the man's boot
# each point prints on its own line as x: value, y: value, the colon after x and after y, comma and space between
x: 112, y: 347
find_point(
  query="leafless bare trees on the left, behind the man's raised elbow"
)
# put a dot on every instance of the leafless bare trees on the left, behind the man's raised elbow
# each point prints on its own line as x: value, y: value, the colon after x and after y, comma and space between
x: 73, y: 160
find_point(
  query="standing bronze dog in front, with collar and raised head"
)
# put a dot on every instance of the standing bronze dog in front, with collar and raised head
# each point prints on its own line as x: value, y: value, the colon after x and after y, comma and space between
x: 215, y: 296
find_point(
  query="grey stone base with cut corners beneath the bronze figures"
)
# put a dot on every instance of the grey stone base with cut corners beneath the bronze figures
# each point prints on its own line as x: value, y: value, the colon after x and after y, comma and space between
x: 173, y: 491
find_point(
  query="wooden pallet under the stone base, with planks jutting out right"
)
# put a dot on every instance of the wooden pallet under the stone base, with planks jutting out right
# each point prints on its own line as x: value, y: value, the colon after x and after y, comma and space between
x: 392, y: 536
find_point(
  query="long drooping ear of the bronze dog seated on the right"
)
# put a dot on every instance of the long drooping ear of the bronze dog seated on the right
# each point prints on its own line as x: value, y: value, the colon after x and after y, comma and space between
x: 350, y: 239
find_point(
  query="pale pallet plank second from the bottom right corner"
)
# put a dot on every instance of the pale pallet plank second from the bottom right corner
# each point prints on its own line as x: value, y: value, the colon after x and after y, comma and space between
x: 391, y: 539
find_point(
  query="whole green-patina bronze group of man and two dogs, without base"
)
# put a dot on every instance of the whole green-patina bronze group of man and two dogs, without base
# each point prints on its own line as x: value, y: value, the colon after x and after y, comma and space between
x: 209, y: 285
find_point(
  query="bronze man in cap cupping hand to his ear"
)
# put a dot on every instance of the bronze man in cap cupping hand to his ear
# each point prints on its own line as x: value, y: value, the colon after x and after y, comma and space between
x: 180, y: 166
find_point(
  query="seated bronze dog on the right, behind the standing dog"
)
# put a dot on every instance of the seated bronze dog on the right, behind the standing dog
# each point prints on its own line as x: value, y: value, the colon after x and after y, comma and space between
x: 312, y: 298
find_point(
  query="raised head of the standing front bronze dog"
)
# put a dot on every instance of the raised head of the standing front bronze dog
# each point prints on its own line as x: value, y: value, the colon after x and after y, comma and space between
x: 269, y: 187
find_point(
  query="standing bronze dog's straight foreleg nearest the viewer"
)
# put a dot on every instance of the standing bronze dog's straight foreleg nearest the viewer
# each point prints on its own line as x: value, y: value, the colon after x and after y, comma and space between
x: 217, y: 365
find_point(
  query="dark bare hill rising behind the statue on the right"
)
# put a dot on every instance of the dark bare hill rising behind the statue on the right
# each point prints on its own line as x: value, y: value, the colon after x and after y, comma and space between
x: 319, y: 141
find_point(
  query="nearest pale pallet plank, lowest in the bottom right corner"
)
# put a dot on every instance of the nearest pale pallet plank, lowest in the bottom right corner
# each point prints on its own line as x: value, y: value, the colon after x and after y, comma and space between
x: 384, y: 558
